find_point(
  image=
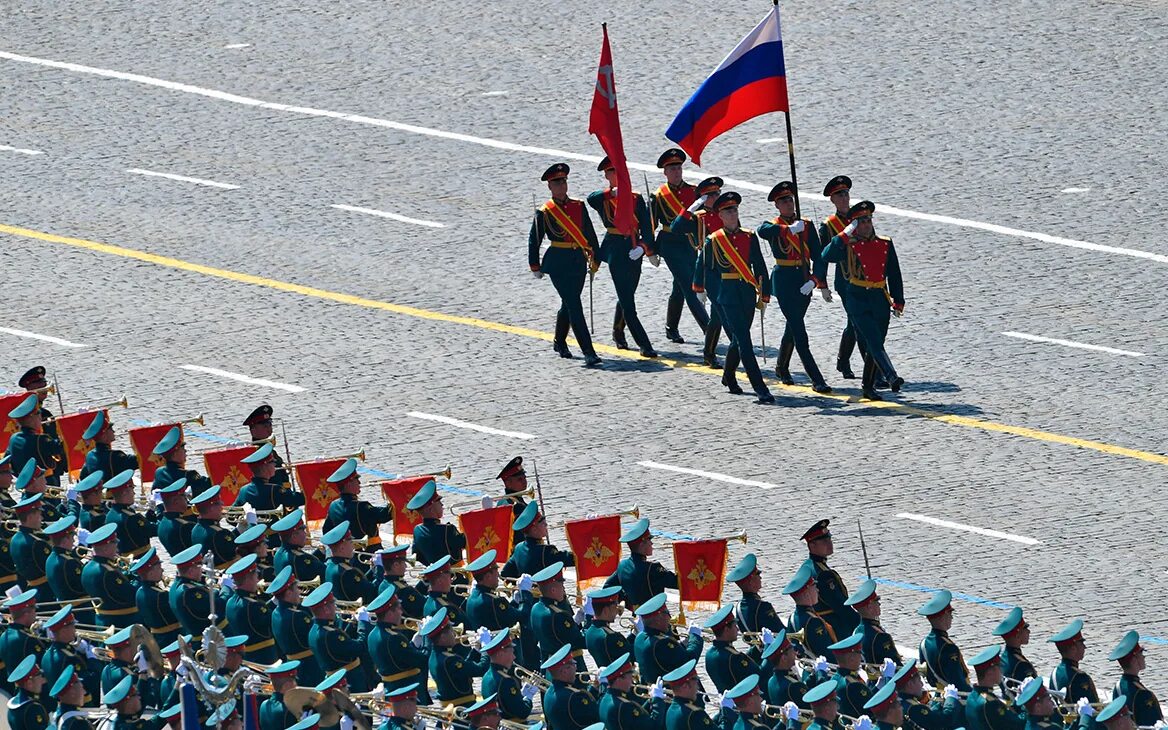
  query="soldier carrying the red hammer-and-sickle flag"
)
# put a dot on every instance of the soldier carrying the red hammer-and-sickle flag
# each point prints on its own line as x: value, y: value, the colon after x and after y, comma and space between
x: 624, y: 254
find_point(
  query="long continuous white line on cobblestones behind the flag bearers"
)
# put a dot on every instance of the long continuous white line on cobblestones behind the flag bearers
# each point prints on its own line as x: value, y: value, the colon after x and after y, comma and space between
x: 564, y: 155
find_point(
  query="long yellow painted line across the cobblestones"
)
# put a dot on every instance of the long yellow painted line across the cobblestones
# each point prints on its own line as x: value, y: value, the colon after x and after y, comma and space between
x: 968, y: 422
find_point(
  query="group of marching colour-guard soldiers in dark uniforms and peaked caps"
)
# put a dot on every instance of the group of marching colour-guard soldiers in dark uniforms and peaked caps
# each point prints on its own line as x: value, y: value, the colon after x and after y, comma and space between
x: 713, y: 258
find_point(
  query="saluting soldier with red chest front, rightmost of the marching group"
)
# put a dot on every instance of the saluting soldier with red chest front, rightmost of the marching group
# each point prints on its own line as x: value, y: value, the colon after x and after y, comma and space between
x: 874, y: 289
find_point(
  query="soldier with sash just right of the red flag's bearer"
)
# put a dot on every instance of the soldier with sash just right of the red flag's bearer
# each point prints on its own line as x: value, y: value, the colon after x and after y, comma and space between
x: 666, y: 204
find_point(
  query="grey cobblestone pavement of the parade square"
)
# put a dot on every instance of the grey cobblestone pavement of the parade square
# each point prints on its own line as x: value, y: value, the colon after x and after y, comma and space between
x: 985, y: 113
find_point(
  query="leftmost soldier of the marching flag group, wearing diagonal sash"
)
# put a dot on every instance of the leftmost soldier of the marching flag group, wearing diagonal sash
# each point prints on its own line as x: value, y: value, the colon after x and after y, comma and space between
x: 574, y: 252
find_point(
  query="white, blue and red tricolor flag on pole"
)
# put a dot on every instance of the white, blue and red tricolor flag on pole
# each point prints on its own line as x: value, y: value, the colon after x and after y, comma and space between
x: 750, y: 82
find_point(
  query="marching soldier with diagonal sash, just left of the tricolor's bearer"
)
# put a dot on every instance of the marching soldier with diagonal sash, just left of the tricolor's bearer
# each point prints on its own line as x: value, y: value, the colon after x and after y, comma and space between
x: 733, y: 256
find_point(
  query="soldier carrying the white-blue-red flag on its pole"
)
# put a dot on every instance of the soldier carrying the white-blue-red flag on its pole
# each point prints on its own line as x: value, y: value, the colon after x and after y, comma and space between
x: 798, y: 272
